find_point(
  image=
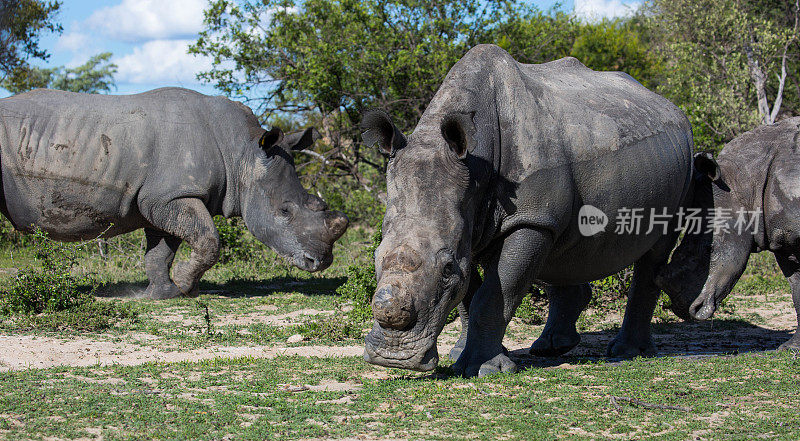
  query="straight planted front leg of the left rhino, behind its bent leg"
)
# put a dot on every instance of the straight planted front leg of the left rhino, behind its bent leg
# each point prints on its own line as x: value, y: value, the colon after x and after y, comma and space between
x: 161, y: 248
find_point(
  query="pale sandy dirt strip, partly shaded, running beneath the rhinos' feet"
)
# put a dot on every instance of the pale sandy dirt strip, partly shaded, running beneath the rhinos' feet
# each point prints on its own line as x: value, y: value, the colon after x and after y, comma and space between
x: 776, y: 322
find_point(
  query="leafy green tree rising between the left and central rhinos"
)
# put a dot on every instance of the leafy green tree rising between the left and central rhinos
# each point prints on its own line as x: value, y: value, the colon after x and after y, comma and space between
x: 325, y: 61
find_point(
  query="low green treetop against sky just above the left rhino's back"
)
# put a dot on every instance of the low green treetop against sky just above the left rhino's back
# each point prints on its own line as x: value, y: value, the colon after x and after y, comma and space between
x: 95, y: 76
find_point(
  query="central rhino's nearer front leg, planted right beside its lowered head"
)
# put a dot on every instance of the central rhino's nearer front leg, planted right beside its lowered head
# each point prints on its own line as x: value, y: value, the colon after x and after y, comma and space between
x: 507, y: 276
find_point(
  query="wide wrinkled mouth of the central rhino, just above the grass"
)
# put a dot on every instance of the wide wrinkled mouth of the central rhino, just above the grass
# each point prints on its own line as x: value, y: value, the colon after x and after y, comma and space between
x: 389, y: 348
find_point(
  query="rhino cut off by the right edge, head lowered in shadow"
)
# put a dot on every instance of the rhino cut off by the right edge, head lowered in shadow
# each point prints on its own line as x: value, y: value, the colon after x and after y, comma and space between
x: 759, y: 170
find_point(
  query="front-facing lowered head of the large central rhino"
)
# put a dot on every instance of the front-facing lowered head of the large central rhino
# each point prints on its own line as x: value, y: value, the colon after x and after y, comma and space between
x: 422, y: 264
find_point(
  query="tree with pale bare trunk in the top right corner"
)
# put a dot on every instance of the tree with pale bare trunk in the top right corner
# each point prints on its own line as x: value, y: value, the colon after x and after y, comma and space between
x: 726, y: 60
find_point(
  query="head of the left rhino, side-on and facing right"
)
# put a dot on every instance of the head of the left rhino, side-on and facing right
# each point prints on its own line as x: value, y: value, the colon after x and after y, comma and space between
x: 277, y: 209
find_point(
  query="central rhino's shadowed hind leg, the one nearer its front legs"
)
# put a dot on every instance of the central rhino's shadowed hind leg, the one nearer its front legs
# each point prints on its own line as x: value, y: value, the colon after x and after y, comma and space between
x: 559, y: 335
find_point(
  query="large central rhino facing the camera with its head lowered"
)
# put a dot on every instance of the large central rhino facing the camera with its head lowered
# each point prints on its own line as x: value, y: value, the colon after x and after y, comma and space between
x: 494, y: 175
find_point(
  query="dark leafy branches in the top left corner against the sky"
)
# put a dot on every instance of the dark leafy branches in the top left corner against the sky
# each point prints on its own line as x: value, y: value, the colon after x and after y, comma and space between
x: 21, y: 24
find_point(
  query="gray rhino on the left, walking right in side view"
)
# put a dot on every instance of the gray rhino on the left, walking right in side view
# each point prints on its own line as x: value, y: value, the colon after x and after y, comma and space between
x: 167, y: 160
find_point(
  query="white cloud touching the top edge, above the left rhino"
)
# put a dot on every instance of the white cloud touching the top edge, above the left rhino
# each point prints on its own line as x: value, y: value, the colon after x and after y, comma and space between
x: 141, y: 20
